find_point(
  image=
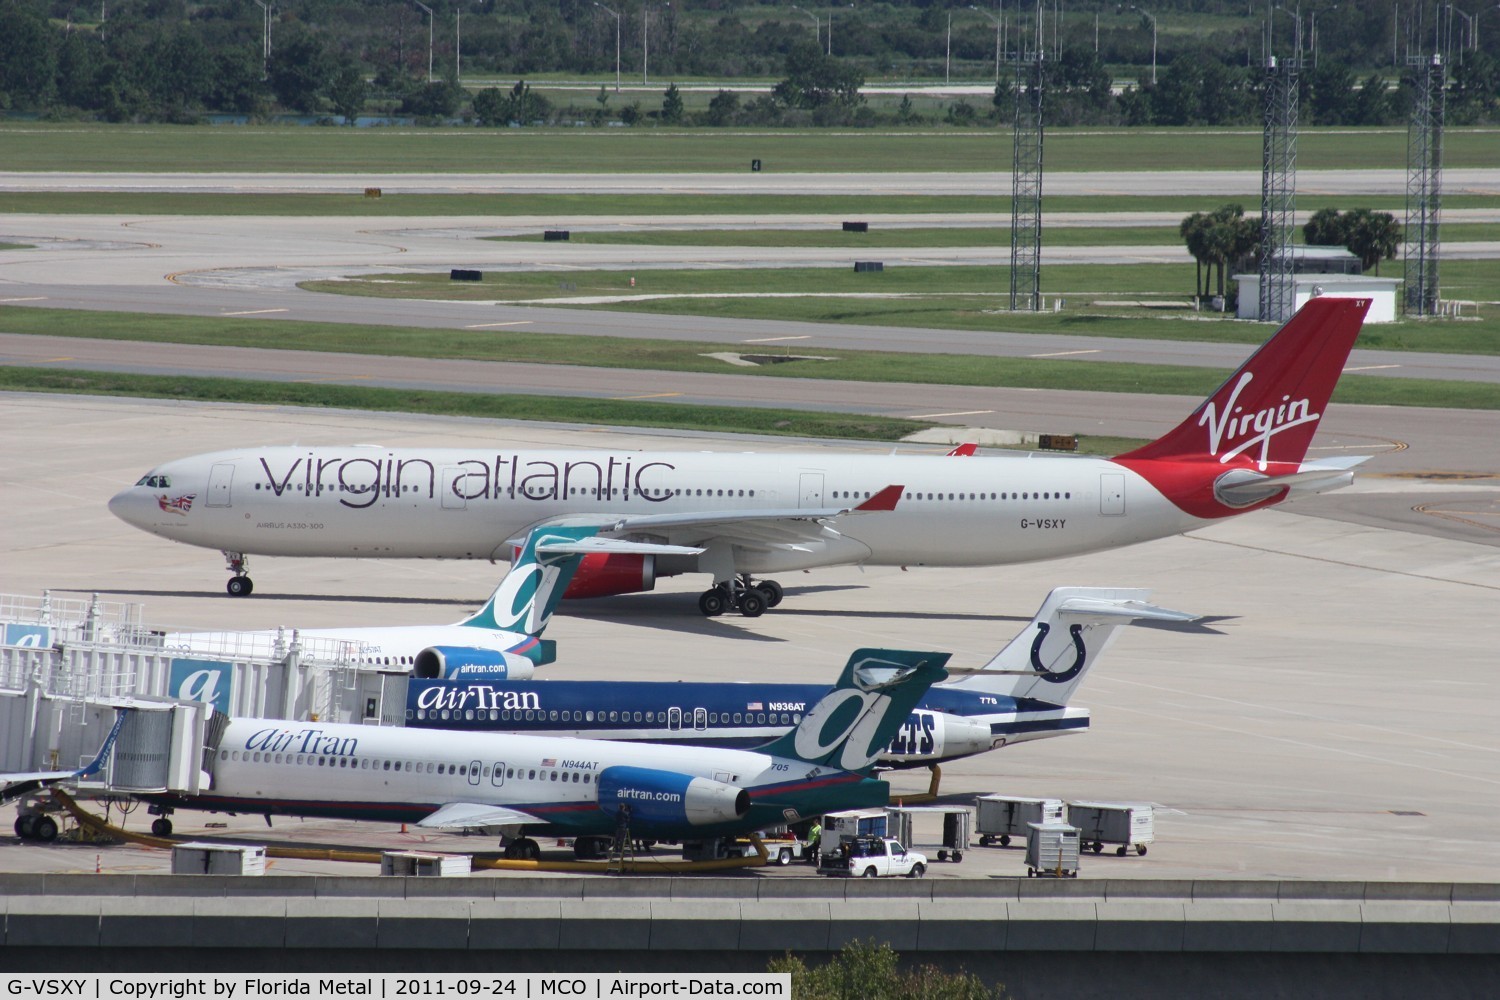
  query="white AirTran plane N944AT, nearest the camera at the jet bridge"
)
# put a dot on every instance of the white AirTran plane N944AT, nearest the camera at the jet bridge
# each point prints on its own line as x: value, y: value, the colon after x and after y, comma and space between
x: 589, y: 789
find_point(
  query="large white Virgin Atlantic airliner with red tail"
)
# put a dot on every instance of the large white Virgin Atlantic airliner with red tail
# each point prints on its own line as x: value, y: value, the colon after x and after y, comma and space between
x: 1241, y: 451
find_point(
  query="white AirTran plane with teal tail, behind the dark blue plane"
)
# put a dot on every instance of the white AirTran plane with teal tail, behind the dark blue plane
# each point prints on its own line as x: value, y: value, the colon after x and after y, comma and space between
x: 499, y: 642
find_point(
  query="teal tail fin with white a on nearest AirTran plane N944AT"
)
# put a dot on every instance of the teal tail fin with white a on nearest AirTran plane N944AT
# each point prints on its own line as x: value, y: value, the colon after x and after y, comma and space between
x: 853, y: 725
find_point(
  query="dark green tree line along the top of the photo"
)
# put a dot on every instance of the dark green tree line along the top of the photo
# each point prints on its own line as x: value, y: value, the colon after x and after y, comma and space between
x: 172, y: 61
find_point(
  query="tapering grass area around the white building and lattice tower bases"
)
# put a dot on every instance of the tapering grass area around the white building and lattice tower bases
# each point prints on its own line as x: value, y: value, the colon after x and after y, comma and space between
x: 943, y: 298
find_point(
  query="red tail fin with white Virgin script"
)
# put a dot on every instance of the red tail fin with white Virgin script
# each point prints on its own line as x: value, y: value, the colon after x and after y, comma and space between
x: 1268, y: 412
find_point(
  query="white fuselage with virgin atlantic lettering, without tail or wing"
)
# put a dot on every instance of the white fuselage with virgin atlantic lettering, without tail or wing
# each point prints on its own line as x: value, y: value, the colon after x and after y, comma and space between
x: 466, y: 504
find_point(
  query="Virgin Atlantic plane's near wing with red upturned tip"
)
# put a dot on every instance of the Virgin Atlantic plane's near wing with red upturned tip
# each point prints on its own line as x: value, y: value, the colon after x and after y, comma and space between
x: 746, y: 528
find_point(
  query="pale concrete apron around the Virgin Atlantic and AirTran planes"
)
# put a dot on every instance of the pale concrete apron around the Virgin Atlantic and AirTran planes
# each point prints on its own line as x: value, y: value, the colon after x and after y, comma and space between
x: 1333, y: 722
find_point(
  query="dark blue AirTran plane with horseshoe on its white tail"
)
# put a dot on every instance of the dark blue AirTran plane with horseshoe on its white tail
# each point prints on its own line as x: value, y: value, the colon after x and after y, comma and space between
x: 1019, y: 696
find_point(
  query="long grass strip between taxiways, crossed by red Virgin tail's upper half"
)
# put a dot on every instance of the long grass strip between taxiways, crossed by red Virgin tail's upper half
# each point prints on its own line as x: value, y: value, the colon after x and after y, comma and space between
x: 674, y: 356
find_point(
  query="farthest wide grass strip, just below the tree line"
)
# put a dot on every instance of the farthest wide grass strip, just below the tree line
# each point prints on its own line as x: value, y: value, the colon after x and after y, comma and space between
x: 172, y: 149
